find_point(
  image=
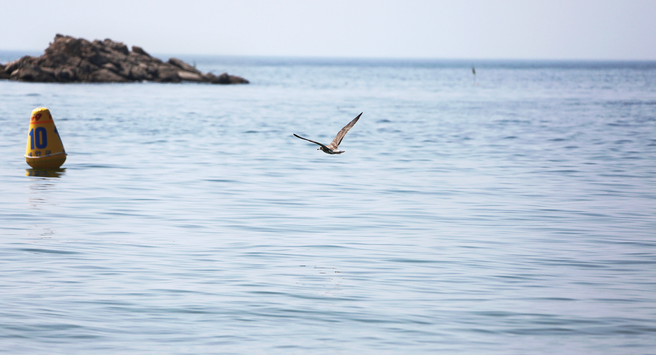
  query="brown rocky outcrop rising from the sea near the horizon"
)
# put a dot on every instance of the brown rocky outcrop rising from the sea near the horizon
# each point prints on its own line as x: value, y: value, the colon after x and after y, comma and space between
x: 70, y: 59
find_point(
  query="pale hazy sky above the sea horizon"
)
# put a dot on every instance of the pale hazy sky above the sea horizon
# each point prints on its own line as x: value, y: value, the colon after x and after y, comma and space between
x: 465, y: 29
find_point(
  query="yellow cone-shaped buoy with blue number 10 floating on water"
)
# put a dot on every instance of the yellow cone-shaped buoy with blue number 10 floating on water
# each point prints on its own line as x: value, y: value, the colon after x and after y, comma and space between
x: 44, y: 147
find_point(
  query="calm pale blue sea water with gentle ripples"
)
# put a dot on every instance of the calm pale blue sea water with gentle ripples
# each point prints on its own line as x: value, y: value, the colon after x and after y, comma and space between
x: 516, y: 216
